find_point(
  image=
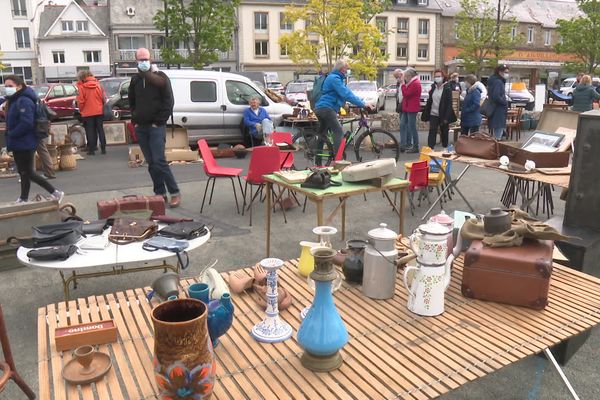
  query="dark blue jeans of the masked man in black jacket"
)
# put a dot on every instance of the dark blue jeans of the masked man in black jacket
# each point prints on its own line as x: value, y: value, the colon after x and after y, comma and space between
x: 152, y: 142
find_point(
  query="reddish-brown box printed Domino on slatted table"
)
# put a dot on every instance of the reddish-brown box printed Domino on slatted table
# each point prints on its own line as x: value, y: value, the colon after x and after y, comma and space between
x: 71, y: 337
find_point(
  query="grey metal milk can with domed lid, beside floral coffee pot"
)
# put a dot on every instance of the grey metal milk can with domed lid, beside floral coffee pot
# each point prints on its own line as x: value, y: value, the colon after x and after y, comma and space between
x: 379, y: 275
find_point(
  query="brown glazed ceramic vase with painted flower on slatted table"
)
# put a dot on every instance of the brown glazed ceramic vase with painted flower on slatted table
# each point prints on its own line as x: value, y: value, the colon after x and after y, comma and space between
x: 184, y: 363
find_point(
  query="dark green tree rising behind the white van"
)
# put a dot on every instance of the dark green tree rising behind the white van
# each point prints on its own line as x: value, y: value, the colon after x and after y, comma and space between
x: 203, y: 27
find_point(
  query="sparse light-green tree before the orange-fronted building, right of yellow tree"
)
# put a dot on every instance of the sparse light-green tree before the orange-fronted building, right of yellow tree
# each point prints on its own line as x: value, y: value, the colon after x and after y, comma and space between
x: 484, y: 34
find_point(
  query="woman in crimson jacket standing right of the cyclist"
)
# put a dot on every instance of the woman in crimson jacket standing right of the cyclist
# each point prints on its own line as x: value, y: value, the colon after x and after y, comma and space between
x: 411, y: 94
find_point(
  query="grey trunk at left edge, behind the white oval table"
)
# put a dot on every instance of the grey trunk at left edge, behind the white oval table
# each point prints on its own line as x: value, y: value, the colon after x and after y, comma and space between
x: 17, y: 219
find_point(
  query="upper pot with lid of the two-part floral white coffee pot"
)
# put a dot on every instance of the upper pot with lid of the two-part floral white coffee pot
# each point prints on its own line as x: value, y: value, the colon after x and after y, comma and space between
x: 429, y: 242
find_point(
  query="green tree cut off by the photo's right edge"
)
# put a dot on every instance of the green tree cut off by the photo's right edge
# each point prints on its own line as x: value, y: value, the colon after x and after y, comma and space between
x: 580, y: 37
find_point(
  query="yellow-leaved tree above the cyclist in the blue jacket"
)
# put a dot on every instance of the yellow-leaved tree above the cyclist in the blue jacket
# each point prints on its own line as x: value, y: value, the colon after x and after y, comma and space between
x: 337, y: 29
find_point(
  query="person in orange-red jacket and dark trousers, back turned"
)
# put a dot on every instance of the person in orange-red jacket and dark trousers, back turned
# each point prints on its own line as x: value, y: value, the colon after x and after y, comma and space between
x: 91, y: 106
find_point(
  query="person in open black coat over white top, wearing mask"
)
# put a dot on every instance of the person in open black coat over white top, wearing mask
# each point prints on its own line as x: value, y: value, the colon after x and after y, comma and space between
x: 438, y: 110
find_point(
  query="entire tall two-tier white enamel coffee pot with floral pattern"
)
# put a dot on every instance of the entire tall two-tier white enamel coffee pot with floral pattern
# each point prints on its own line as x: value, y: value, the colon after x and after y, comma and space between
x: 432, y: 275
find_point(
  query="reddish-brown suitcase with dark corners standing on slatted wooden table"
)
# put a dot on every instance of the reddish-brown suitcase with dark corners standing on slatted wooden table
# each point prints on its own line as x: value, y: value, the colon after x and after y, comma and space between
x: 518, y: 276
